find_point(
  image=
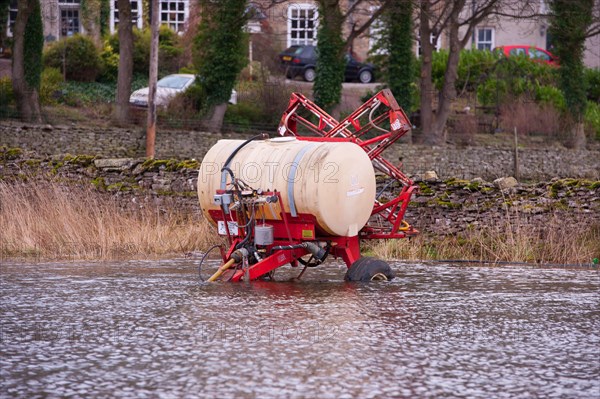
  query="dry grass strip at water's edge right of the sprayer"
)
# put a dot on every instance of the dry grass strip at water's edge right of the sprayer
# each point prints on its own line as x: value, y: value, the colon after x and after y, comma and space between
x: 553, y: 243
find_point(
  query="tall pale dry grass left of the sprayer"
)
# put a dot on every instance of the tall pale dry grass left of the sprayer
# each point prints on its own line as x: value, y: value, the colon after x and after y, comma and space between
x: 52, y: 221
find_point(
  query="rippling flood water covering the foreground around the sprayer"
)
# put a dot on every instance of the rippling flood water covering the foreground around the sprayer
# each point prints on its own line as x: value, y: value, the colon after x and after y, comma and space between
x: 151, y: 329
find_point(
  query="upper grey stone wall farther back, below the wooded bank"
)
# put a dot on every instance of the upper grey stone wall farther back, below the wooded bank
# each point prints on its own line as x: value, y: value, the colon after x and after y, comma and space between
x: 465, y: 163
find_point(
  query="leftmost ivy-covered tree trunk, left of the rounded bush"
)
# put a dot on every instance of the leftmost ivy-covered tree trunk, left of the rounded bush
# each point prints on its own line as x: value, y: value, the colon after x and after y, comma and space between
x: 25, y: 73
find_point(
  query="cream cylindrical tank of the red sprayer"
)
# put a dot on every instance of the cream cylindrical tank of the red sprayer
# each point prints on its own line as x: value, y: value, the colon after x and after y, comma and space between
x: 334, y: 181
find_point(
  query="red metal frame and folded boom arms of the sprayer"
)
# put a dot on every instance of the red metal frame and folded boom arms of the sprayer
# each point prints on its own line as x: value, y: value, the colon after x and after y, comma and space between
x: 387, y: 219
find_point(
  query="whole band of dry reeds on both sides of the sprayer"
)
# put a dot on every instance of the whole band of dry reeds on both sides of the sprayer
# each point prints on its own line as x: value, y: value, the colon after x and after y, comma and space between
x: 52, y: 221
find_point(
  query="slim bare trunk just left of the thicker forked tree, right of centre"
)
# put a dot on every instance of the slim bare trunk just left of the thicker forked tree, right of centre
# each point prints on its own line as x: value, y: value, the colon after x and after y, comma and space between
x: 426, y: 83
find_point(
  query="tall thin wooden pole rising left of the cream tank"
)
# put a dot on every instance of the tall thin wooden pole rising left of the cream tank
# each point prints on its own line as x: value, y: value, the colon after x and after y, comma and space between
x: 151, y: 122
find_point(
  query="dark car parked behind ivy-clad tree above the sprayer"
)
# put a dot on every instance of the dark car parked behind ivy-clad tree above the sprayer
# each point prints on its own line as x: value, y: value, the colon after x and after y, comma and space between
x: 302, y: 61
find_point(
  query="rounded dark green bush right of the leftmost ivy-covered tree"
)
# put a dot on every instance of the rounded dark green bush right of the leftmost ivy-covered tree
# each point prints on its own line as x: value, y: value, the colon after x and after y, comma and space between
x: 78, y: 55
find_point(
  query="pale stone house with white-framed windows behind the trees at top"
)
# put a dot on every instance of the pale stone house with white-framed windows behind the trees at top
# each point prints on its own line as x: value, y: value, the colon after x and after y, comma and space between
x: 285, y: 23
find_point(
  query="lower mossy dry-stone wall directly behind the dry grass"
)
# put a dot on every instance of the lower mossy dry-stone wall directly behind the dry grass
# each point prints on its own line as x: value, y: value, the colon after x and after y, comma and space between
x: 446, y: 206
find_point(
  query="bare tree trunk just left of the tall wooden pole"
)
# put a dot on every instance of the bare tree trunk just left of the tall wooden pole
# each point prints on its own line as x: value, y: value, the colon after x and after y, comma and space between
x: 121, y: 112
